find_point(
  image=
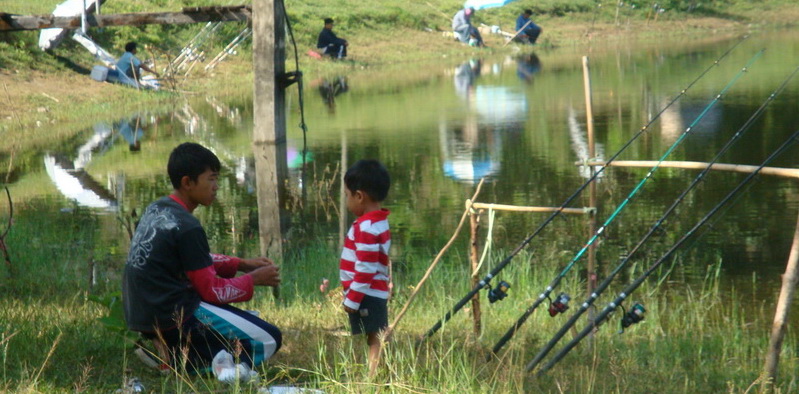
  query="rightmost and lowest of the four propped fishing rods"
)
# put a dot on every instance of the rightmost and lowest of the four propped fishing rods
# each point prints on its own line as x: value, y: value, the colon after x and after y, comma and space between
x: 636, y: 313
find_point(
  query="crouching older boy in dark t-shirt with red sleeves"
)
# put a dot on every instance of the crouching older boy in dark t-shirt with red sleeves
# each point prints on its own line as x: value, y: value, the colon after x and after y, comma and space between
x: 176, y: 292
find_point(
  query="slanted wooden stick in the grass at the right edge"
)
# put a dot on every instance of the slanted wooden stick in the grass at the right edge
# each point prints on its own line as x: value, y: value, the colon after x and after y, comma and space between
x: 789, y: 281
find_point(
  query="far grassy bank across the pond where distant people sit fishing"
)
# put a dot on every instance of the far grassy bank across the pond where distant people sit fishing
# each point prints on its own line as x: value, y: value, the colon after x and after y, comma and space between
x: 42, y: 89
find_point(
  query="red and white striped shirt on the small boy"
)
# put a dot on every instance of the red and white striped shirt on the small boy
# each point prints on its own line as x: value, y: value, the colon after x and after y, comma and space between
x: 363, y: 269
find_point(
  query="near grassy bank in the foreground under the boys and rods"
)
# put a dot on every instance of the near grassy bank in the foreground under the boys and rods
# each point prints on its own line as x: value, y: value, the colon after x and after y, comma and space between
x: 698, y: 338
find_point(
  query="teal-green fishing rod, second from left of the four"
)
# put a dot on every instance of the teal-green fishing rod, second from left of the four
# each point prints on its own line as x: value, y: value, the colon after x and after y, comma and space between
x: 559, y: 305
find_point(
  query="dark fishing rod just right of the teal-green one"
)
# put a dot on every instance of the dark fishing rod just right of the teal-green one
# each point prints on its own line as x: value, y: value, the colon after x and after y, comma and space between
x: 606, y: 282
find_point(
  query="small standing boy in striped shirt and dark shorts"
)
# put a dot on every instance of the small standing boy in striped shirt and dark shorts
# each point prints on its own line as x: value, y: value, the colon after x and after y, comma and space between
x: 364, y: 259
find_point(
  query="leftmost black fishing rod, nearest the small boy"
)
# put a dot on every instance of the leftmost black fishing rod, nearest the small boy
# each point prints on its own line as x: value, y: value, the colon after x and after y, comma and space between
x: 485, y: 282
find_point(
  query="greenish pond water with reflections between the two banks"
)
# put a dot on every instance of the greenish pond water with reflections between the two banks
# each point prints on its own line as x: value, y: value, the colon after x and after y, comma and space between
x: 519, y: 122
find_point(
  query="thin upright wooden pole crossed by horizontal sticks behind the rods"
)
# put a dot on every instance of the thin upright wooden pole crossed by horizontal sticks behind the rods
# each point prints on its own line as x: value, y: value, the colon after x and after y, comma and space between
x: 589, y: 115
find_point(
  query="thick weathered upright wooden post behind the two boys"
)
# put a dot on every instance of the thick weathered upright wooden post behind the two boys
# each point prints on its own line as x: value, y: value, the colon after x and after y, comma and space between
x: 269, y: 129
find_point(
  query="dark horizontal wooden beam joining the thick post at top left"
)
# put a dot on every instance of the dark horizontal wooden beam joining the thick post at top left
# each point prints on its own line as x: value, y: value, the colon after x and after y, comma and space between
x: 13, y: 22
